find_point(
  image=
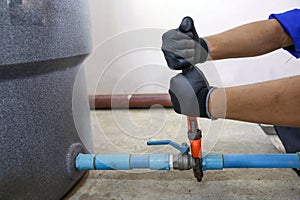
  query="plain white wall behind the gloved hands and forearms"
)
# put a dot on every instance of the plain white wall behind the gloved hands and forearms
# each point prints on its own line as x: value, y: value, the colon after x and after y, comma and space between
x: 127, y: 40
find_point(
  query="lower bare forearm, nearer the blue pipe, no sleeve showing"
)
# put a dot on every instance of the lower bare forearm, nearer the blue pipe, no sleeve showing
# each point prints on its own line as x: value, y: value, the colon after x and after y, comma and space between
x: 274, y: 102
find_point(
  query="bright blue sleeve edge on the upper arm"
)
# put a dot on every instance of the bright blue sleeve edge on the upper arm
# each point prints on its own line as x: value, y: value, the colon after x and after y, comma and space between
x: 290, y: 21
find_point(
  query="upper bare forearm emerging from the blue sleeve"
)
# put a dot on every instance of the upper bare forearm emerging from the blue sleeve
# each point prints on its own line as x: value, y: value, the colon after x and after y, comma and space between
x: 251, y: 39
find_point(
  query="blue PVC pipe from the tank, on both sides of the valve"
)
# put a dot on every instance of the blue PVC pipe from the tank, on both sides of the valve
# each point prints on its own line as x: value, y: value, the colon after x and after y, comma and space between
x: 211, y: 161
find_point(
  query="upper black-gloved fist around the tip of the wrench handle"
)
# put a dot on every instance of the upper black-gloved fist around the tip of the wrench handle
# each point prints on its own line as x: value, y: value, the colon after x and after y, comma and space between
x: 182, y: 47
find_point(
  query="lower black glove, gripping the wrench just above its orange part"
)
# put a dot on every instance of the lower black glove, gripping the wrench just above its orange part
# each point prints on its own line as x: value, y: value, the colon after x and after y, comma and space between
x: 189, y: 91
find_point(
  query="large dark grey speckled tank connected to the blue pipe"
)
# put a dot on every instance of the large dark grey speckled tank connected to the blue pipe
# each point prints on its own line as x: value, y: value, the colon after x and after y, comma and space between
x: 43, y: 44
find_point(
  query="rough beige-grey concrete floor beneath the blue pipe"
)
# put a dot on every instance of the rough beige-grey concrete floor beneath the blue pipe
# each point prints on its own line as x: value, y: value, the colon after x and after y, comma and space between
x: 123, y: 131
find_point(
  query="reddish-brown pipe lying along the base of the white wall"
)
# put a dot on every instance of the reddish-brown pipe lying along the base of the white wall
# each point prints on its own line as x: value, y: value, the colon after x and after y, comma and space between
x: 129, y: 101
